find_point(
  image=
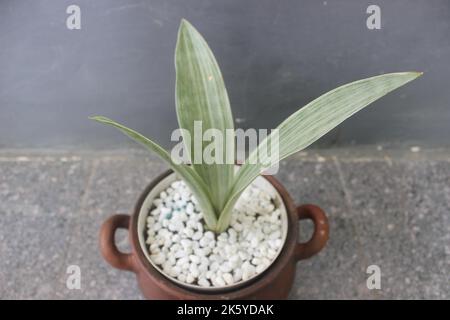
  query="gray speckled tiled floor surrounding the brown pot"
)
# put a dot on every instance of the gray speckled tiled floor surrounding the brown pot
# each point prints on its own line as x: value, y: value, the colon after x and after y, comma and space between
x: 386, y: 208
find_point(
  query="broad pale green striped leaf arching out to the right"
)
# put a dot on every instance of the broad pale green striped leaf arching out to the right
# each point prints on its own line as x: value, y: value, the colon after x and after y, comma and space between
x: 313, y: 121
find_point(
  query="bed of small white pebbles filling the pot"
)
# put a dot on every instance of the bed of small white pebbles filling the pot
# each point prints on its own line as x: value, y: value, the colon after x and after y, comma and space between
x: 181, y: 246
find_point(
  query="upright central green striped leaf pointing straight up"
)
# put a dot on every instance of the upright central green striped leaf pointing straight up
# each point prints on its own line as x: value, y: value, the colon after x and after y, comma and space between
x: 201, y: 96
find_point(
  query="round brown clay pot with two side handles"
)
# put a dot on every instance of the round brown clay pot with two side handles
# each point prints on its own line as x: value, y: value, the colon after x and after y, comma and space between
x: 274, y: 283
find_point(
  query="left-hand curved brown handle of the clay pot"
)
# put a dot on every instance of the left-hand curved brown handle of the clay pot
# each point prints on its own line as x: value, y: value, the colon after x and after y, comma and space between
x: 117, y: 259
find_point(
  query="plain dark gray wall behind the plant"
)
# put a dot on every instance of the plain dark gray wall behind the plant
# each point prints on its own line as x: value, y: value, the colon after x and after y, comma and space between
x: 275, y: 56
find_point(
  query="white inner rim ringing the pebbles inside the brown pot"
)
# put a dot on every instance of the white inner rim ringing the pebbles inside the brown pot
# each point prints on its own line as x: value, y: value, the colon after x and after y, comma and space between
x: 163, y: 184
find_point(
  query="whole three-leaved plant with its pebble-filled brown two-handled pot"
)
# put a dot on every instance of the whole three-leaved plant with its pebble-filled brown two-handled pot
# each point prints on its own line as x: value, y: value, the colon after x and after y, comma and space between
x: 217, y: 231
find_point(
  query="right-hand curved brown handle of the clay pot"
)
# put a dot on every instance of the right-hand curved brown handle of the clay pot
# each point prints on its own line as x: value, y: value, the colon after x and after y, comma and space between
x: 321, y: 231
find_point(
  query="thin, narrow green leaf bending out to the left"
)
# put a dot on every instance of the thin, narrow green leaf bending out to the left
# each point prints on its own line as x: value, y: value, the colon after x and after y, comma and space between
x: 192, y: 179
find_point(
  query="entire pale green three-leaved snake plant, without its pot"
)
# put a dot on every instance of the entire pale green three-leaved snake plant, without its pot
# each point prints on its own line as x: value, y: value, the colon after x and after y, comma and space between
x: 201, y: 96
